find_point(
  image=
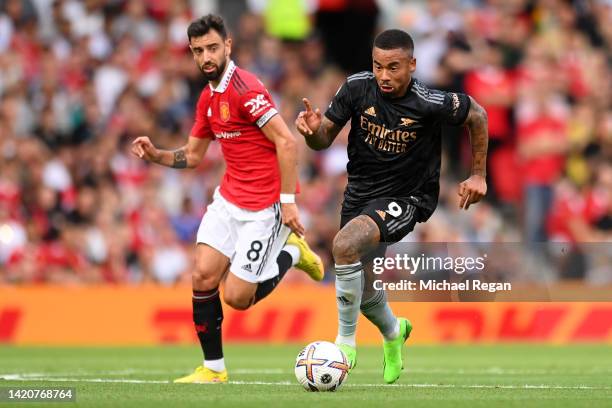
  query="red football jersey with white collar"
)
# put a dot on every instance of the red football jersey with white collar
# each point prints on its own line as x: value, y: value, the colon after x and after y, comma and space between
x: 234, y: 113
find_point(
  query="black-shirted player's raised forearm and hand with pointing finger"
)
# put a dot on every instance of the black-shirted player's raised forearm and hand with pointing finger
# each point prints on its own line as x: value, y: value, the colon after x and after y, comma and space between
x: 318, y: 131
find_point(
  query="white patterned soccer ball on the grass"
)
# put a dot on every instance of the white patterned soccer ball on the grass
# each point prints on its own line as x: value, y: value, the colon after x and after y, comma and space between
x: 321, y: 366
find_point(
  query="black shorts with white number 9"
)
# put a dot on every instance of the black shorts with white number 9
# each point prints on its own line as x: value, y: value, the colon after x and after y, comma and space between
x: 395, y: 217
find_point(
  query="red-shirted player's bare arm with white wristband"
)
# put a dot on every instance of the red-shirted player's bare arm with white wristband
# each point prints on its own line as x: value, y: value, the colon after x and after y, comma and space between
x: 276, y: 130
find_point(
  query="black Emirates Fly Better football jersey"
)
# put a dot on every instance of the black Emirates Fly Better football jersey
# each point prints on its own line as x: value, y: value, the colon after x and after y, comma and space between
x: 394, y: 145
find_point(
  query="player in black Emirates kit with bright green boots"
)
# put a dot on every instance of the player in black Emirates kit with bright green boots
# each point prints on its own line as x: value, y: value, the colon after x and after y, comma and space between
x: 394, y: 151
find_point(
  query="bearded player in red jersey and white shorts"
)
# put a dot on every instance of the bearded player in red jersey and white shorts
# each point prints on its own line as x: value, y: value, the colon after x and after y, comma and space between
x: 252, y: 227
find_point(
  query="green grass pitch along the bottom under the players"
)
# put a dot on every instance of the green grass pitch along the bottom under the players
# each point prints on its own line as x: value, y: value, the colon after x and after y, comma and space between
x: 262, y: 376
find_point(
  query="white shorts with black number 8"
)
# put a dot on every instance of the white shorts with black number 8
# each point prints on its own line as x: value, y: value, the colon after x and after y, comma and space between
x: 252, y: 240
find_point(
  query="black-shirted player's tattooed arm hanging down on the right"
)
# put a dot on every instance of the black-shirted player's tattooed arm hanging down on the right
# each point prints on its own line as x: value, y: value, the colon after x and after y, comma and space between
x: 474, y: 188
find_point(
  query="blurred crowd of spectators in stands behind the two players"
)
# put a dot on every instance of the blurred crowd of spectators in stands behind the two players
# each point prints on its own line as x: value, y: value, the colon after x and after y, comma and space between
x: 79, y: 80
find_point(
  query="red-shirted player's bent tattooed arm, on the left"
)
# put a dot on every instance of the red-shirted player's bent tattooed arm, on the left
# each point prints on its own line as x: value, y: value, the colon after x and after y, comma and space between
x: 188, y: 156
